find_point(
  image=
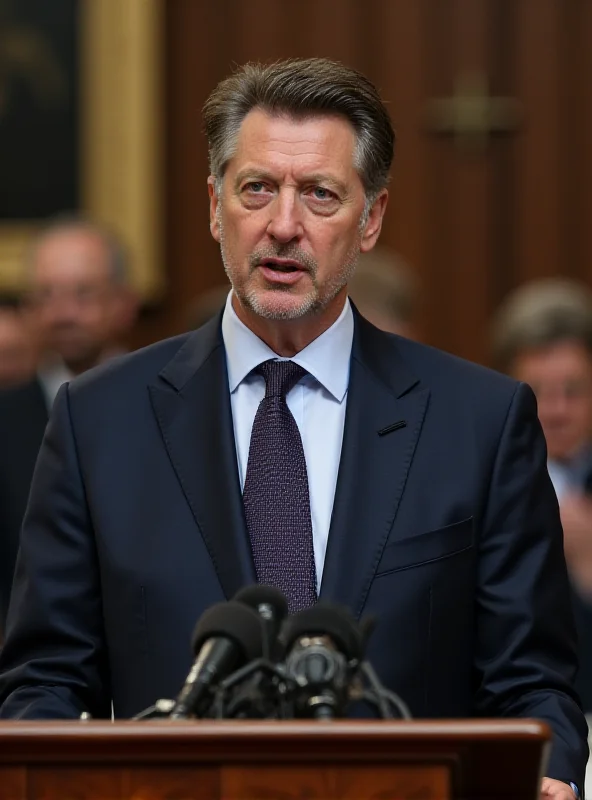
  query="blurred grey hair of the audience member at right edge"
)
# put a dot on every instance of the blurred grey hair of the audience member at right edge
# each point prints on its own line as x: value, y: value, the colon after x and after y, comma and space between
x: 540, y: 314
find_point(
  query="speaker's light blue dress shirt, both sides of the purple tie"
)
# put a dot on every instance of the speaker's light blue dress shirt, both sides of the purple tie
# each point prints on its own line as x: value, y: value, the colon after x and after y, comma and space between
x: 318, y: 403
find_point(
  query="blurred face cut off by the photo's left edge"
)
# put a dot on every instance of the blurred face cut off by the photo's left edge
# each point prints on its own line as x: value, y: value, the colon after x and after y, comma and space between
x: 17, y: 344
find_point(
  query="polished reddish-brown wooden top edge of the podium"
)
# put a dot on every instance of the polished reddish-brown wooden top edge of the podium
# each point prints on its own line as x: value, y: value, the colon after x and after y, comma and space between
x: 190, y: 743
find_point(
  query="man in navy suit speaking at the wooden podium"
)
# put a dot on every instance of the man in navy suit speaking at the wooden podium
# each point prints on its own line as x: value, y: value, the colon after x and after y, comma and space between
x: 292, y: 442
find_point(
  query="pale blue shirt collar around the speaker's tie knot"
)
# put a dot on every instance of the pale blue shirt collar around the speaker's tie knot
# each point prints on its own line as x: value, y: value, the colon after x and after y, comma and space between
x: 326, y: 358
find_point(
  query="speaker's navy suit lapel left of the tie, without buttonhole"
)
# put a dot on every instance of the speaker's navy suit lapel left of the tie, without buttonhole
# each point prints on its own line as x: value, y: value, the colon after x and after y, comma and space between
x: 191, y: 402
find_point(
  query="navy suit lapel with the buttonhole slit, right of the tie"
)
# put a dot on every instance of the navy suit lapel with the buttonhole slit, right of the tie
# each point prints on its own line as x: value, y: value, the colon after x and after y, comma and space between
x: 385, y: 411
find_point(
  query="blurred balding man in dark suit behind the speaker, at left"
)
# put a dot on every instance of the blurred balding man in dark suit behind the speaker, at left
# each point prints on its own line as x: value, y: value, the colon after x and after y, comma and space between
x: 80, y: 304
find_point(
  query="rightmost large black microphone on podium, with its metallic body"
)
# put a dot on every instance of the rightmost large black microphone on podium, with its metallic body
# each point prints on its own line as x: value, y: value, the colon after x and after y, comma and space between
x: 324, y: 646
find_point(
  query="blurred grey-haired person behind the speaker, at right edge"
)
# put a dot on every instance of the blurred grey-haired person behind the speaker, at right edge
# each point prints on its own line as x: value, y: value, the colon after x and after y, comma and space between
x: 543, y: 336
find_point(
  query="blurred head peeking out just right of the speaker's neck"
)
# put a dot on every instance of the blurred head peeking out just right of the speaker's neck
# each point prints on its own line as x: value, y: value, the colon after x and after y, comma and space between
x: 385, y: 291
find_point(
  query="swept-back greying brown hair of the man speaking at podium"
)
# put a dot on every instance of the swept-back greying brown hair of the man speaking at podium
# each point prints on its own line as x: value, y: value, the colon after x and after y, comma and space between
x: 302, y: 88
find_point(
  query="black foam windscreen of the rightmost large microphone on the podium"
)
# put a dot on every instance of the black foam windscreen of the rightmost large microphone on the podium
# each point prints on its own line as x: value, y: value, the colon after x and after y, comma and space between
x: 329, y: 619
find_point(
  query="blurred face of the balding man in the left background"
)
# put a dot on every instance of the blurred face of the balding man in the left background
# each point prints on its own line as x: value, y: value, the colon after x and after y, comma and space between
x: 75, y: 300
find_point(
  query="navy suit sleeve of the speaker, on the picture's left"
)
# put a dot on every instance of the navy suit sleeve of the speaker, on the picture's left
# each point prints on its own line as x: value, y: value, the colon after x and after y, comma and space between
x: 53, y: 663
